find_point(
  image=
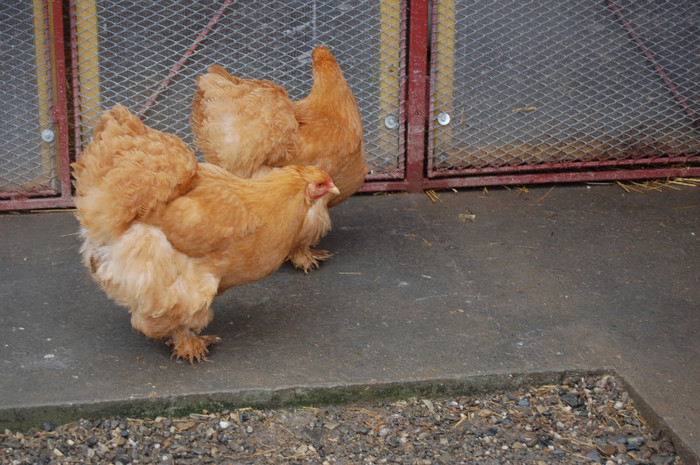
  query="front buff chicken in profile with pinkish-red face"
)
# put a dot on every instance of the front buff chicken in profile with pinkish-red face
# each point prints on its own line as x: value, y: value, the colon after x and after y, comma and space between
x: 163, y: 234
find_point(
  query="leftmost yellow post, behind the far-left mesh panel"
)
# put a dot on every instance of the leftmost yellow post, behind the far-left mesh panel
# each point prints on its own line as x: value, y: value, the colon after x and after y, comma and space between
x: 43, y: 83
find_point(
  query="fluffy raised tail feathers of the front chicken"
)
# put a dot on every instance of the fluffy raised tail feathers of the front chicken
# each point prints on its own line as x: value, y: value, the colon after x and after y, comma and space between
x: 126, y: 171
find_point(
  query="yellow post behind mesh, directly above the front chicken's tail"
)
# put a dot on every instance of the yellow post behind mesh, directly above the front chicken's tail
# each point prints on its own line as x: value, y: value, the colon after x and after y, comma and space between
x: 87, y: 42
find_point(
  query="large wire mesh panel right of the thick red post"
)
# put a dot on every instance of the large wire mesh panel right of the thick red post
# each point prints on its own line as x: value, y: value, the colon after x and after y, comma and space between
x: 563, y: 81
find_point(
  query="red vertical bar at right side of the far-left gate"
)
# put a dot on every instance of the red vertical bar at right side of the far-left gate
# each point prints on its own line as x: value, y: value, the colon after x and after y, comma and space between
x: 60, y: 110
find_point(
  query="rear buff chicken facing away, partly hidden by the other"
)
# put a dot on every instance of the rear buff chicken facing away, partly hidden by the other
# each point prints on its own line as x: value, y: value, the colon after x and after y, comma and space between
x: 249, y: 127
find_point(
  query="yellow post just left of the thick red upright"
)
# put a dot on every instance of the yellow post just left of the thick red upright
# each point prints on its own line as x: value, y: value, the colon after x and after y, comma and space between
x: 390, y: 68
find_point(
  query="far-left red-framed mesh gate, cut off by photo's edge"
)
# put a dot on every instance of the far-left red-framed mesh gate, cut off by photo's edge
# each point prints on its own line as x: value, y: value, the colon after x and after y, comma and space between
x: 34, y: 171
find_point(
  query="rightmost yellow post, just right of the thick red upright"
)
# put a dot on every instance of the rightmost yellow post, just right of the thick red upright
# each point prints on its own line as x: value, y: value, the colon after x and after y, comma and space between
x: 444, y: 74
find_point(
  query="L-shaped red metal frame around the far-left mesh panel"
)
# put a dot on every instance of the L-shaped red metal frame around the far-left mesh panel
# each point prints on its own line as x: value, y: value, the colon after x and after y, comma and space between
x: 51, y: 198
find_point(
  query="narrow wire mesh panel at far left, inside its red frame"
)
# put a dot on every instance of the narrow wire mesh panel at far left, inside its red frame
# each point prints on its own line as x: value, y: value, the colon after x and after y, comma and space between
x: 27, y: 162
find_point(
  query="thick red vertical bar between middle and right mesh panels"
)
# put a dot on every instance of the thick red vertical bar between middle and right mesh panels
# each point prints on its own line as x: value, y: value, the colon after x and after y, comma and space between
x: 417, y: 99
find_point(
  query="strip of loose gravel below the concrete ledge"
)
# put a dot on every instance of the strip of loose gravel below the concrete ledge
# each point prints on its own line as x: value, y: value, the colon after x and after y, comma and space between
x: 582, y: 420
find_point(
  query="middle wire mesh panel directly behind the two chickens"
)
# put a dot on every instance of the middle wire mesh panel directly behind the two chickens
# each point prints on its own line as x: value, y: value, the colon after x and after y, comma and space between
x: 146, y: 56
